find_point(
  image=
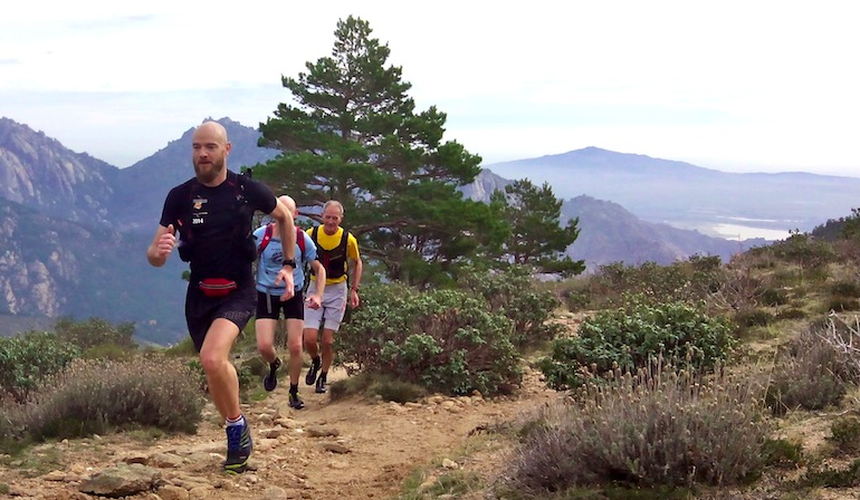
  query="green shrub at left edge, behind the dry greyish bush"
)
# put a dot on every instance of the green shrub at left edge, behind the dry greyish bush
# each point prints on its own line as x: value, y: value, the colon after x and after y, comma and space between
x: 26, y: 359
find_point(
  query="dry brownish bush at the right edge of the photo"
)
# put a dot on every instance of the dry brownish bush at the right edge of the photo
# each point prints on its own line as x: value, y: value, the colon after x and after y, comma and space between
x: 813, y: 369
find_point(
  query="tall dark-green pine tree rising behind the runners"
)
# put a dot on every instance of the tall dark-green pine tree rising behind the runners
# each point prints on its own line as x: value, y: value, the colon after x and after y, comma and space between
x: 355, y: 136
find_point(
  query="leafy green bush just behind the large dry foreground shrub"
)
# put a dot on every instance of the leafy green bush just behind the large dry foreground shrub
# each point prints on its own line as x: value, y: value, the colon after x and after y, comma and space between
x: 629, y: 337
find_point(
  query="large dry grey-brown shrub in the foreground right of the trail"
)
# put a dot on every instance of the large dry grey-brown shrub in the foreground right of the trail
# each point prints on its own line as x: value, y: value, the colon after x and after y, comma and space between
x: 657, y: 427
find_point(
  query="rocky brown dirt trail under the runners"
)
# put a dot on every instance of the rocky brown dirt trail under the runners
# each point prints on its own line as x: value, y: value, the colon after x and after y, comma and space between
x: 350, y: 449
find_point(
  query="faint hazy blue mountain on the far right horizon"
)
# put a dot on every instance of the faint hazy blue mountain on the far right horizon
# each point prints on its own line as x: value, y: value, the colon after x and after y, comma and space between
x: 691, y: 197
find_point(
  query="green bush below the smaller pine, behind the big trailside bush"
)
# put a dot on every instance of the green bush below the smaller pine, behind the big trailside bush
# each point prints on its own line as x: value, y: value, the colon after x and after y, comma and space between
x: 513, y: 293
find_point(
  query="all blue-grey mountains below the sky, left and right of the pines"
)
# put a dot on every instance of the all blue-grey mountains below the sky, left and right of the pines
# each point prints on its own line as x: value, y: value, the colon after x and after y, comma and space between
x: 75, y: 229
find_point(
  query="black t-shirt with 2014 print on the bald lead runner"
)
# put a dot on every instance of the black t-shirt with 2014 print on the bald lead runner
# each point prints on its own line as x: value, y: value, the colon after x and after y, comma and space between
x: 214, y: 223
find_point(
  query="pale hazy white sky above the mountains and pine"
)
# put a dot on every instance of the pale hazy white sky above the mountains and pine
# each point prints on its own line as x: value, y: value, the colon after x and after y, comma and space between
x: 733, y: 85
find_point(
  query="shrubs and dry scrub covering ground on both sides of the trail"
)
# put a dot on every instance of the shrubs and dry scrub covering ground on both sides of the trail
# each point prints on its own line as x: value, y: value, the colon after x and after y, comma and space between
x: 693, y: 380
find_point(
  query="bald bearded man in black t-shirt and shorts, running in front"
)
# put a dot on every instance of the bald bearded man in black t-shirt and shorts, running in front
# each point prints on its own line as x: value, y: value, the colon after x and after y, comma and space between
x: 213, y: 213
